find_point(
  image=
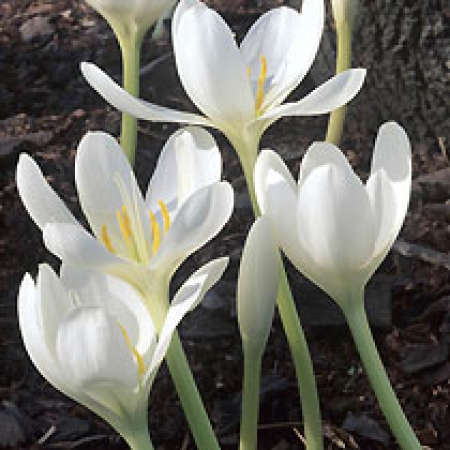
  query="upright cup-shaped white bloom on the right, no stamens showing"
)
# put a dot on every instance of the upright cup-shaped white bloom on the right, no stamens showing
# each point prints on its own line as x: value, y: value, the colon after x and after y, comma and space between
x: 335, y: 229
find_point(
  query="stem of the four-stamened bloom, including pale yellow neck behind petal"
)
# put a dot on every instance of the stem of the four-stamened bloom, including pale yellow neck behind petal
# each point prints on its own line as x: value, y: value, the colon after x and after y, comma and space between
x: 183, y: 379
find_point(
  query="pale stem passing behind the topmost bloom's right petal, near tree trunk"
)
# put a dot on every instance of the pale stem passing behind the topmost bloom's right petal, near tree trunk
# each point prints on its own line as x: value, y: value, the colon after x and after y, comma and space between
x: 343, y: 62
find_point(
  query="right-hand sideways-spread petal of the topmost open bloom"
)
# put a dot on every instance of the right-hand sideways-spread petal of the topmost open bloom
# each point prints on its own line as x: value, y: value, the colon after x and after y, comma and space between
x: 333, y: 94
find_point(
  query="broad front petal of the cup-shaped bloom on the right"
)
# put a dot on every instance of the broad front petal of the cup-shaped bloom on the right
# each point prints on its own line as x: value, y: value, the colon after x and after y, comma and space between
x: 336, y: 226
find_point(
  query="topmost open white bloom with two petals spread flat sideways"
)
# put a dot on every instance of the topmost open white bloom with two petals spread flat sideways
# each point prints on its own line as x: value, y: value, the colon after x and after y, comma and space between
x: 240, y: 89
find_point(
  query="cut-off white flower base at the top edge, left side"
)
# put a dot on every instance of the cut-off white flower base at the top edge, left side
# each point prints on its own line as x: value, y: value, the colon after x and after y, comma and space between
x: 131, y: 16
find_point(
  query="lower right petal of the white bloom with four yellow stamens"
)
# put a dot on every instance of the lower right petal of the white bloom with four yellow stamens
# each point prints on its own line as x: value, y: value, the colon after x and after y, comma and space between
x: 201, y: 217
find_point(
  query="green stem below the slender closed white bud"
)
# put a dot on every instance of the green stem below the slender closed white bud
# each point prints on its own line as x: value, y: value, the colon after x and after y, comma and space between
x: 250, y: 398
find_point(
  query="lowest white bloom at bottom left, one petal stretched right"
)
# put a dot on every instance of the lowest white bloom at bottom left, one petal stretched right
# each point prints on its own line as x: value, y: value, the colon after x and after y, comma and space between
x: 92, y: 338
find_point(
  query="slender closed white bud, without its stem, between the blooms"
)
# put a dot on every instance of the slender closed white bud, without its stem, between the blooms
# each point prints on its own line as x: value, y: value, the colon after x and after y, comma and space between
x: 258, y: 284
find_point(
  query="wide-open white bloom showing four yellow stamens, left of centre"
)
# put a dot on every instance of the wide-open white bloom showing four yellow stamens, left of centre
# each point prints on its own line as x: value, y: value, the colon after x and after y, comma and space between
x: 133, y: 238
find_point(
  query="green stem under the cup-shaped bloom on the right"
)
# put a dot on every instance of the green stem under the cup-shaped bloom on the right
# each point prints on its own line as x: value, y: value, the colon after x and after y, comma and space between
x: 359, y: 326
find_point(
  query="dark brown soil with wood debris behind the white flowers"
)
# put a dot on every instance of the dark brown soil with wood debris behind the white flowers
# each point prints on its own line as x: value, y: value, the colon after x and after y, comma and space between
x: 46, y: 107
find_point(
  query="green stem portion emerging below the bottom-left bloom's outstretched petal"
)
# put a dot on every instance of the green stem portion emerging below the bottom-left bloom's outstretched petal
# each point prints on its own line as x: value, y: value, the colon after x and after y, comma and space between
x: 189, y: 396
